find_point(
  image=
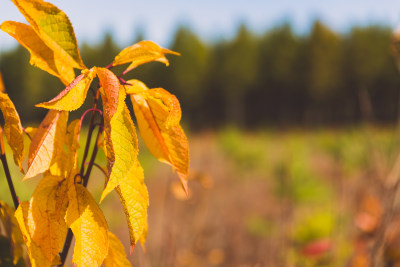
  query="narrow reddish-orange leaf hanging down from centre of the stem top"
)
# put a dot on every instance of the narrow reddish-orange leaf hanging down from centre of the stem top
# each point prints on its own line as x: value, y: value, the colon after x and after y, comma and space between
x: 111, y: 88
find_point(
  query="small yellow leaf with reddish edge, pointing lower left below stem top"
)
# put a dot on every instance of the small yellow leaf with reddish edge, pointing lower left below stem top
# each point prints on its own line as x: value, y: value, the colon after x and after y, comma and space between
x: 73, y: 96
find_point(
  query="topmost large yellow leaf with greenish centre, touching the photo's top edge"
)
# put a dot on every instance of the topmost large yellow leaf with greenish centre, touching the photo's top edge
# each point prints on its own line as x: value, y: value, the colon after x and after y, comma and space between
x: 54, y: 28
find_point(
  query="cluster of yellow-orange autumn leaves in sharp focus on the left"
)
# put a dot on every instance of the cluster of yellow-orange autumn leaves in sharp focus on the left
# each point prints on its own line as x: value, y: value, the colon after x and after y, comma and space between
x: 61, y: 200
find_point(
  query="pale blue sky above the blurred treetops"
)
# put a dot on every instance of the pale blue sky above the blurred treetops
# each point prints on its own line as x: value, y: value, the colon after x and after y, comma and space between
x: 209, y: 18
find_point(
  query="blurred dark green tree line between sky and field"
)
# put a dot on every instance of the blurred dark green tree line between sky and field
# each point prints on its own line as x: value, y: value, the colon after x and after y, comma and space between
x: 278, y: 78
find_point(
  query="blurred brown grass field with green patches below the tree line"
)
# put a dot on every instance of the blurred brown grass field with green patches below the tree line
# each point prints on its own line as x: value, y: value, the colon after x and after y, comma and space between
x: 267, y: 198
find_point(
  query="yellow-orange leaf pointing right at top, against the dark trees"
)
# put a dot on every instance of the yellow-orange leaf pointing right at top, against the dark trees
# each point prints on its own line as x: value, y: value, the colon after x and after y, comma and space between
x: 141, y: 53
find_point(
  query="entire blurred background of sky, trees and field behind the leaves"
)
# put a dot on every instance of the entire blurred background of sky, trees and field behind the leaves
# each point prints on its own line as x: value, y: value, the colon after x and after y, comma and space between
x: 292, y: 112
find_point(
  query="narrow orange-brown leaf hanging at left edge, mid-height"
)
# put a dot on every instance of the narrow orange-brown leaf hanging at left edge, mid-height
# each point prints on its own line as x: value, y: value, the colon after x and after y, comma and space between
x: 13, y: 129
